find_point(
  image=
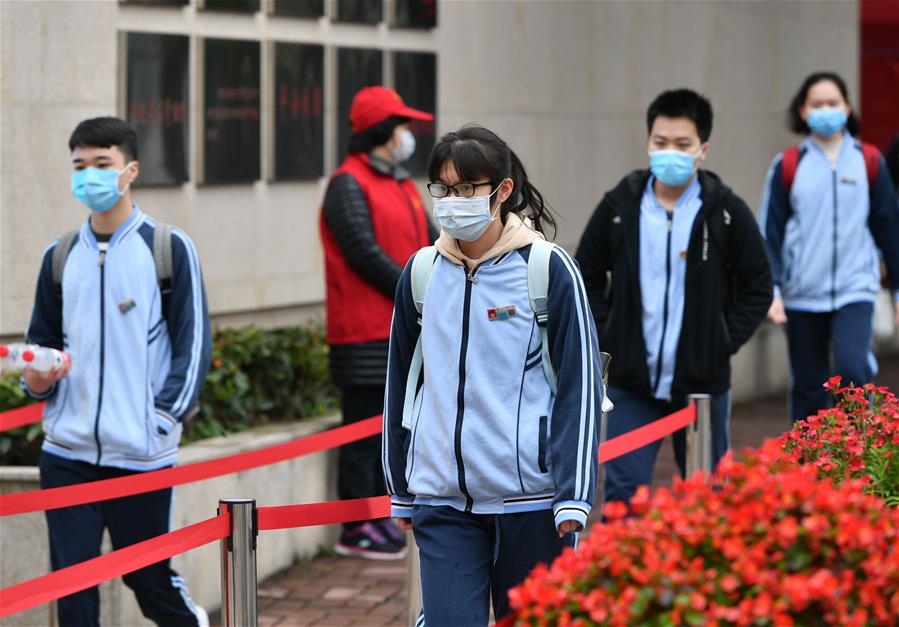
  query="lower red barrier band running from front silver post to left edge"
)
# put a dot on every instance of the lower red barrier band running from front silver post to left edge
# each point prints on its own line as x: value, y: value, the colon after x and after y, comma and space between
x: 60, y: 583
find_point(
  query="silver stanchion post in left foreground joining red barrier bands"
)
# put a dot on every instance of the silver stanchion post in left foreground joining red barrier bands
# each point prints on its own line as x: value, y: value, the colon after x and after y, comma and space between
x: 239, y: 564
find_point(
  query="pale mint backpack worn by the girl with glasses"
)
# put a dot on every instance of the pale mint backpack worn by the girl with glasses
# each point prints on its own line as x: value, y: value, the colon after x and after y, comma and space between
x: 538, y: 290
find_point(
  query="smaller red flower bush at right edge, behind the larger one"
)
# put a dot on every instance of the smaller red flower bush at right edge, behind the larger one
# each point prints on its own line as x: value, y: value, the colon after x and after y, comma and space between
x: 857, y: 438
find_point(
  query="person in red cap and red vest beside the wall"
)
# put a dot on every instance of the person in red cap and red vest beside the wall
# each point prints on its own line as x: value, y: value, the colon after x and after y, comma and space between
x: 371, y: 222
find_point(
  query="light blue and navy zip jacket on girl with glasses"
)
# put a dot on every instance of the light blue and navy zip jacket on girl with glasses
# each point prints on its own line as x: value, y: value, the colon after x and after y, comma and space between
x: 487, y: 435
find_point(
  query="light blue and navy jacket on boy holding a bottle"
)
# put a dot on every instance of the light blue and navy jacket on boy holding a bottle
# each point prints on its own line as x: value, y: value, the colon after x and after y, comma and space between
x: 134, y: 375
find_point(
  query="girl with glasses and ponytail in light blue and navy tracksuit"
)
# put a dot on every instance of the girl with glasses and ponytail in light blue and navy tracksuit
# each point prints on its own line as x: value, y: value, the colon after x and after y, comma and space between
x: 490, y: 461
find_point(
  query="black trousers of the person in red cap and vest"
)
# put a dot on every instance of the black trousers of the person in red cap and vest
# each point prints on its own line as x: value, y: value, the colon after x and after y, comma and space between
x: 359, y: 471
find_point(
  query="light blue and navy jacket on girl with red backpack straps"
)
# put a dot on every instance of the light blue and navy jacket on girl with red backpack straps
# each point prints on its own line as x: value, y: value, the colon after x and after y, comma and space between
x: 823, y: 238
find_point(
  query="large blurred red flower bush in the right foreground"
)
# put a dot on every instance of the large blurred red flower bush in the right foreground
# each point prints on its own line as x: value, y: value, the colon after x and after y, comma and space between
x: 766, y: 542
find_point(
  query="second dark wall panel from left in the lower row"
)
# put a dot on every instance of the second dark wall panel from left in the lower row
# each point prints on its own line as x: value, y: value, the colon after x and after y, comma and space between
x: 231, y: 111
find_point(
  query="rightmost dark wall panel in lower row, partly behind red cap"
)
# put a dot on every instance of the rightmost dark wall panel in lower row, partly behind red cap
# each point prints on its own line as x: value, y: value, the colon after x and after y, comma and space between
x: 415, y: 78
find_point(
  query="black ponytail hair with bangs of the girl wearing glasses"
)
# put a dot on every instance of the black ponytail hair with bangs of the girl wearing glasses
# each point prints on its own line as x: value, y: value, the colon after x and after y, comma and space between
x: 477, y: 153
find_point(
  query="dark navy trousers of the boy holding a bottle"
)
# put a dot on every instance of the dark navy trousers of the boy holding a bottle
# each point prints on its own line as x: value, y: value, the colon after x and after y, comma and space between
x: 76, y: 533
